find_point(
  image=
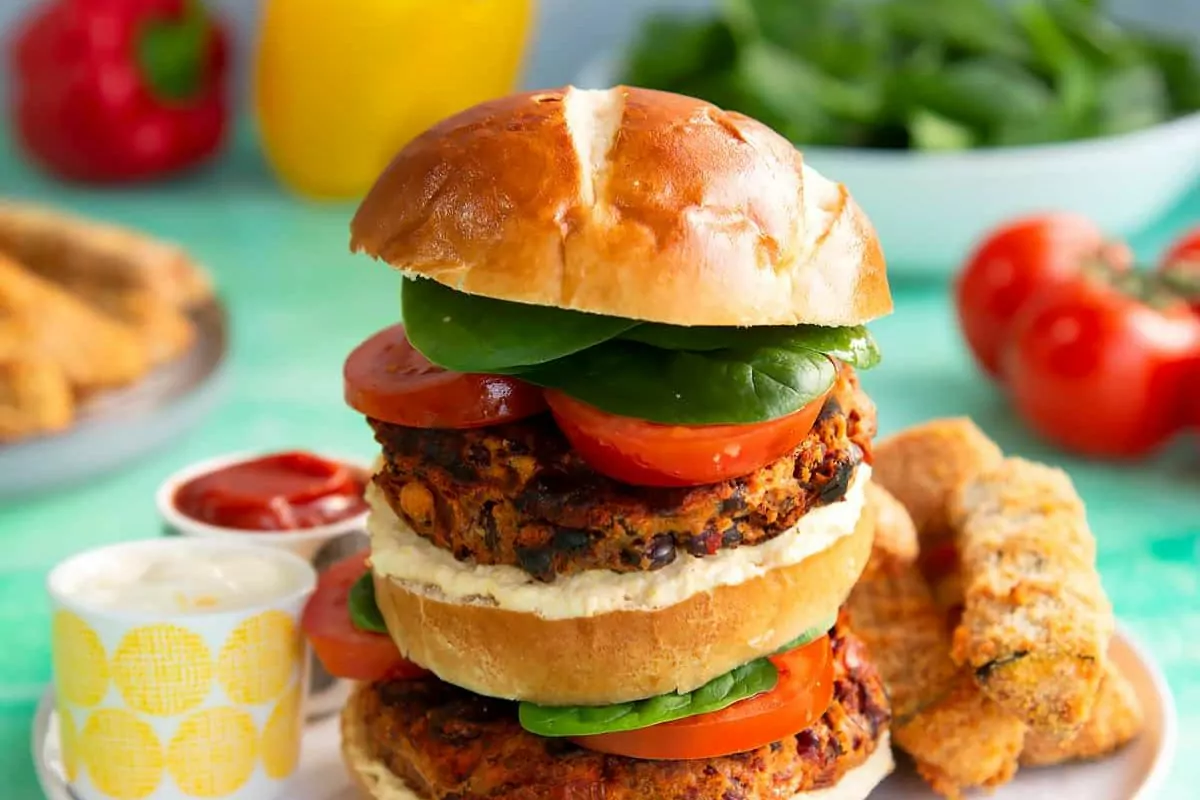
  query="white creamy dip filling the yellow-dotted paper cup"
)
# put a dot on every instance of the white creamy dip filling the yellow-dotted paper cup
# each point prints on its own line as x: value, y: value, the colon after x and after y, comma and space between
x: 183, y: 580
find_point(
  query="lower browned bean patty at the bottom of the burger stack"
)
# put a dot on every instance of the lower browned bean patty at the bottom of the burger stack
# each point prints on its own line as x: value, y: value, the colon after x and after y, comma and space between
x: 449, y: 744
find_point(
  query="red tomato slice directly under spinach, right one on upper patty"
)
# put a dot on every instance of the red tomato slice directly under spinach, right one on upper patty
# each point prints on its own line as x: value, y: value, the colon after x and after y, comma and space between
x: 649, y: 454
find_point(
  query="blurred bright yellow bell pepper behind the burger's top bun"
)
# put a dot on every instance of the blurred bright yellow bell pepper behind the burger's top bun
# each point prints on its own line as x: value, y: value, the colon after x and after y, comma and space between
x: 341, y: 87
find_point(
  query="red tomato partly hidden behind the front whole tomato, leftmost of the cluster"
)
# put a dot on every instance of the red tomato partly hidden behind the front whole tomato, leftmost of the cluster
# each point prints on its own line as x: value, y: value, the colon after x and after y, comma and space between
x: 1017, y: 262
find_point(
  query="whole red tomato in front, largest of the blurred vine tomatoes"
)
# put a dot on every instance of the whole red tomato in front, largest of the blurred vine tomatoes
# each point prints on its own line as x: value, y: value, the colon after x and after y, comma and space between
x: 1100, y: 371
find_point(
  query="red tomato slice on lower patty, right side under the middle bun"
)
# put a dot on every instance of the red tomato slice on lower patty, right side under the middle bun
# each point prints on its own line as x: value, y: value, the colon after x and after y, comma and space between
x: 800, y: 699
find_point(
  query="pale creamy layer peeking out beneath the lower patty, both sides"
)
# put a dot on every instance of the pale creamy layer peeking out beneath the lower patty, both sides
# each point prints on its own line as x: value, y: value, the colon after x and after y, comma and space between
x: 375, y: 780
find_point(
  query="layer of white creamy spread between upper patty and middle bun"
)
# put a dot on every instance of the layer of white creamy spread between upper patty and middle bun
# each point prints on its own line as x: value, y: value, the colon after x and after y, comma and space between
x: 398, y: 552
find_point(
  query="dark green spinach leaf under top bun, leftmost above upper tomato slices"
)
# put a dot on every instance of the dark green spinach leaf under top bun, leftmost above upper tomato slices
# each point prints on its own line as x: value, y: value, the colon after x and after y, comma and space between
x: 473, y: 334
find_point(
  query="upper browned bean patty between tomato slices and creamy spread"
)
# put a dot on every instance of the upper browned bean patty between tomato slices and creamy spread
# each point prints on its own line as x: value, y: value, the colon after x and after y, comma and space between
x: 518, y: 495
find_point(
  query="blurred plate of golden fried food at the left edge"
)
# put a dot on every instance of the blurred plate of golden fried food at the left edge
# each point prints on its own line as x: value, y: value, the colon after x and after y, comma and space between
x: 111, y: 342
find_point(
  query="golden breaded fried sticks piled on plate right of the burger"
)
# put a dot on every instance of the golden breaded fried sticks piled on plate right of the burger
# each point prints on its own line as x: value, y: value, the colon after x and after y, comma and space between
x: 986, y: 616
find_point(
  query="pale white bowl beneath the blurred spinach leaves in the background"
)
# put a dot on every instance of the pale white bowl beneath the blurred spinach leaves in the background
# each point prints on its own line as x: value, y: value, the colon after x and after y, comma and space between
x: 931, y: 208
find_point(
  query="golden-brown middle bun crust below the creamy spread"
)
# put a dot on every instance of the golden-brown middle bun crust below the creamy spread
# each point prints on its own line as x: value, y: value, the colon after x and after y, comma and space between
x: 623, y: 655
